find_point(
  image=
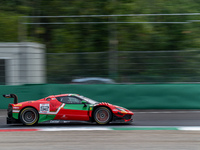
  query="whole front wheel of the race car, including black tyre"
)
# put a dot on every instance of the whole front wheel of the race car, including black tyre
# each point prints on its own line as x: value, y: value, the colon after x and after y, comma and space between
x: 102, y: 115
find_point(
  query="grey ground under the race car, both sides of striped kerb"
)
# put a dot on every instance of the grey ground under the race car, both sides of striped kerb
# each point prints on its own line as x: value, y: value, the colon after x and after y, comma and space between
x: 112, y: 139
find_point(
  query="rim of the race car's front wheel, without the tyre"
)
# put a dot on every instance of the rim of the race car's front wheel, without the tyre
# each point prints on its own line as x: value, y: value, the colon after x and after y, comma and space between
x: 102, y: 115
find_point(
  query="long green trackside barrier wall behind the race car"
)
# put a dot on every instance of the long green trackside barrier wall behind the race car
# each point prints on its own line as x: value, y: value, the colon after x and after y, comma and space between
x: 134, y: 96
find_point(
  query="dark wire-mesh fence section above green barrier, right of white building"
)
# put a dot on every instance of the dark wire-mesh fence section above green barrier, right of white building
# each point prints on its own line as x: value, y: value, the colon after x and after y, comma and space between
x: 128, y: 67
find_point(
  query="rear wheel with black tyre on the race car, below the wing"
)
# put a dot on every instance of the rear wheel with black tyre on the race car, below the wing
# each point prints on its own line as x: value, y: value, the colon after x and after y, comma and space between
x: 29, y: 116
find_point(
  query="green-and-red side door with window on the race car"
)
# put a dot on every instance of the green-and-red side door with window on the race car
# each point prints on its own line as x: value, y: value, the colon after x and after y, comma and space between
x: 74, y: 109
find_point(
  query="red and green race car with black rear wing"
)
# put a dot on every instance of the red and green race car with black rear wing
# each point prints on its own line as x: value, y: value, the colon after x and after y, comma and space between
x: 65, y: 108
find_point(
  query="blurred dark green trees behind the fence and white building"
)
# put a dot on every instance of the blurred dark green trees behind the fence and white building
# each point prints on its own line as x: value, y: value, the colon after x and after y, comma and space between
x: 143, y: 37
